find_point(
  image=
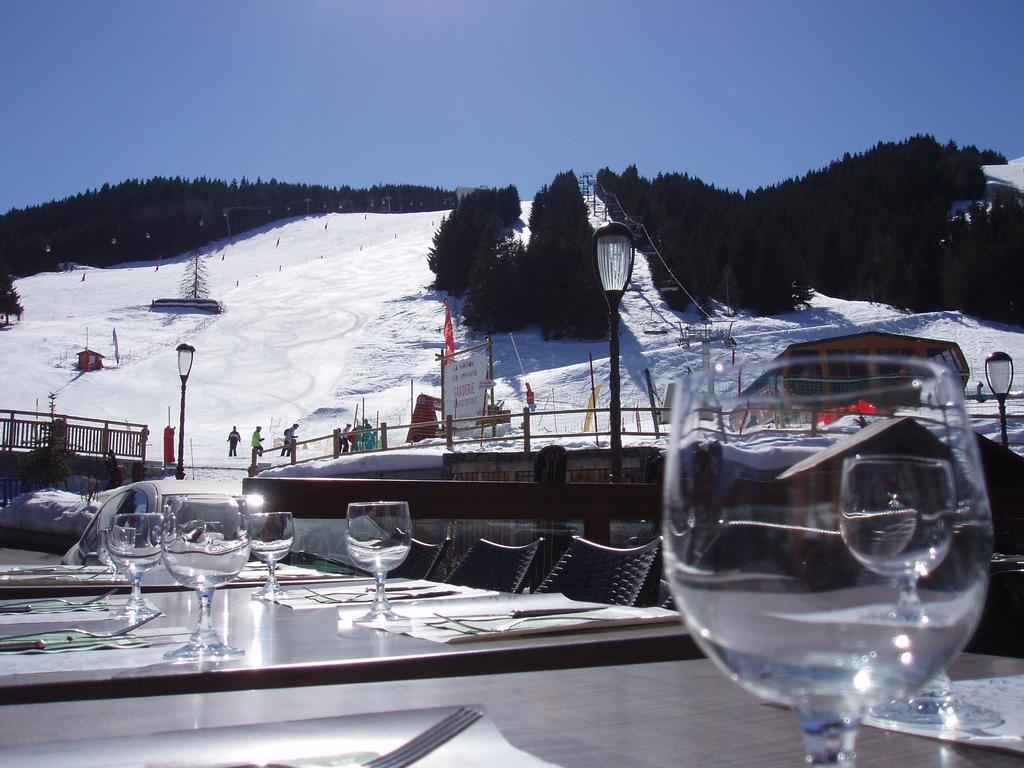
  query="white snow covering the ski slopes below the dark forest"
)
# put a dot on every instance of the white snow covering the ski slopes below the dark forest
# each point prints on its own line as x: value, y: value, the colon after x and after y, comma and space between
x: 324, y: 314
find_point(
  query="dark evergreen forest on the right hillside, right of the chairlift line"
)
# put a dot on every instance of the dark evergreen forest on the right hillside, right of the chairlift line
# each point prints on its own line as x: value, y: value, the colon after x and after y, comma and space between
x: 875, y: 227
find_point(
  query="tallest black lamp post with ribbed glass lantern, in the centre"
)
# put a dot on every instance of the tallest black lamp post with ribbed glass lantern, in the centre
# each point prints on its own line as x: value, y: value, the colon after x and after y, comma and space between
x: 614, y: 261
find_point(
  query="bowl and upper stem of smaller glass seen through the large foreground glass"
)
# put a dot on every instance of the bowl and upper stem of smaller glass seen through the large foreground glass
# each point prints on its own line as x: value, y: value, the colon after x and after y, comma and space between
x: 895, y: 516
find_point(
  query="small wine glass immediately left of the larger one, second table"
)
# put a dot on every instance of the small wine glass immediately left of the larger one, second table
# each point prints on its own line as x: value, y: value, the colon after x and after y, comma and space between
x: 134, y: 547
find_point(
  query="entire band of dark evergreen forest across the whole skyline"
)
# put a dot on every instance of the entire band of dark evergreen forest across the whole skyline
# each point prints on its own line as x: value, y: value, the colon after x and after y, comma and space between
x: 901, y: 224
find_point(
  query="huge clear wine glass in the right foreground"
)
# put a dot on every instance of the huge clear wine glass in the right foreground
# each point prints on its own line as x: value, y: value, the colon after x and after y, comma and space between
x: 760, y: 564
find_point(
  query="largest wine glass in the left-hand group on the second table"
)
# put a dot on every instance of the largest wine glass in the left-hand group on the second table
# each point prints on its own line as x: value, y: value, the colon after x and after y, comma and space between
x: 205, y: 545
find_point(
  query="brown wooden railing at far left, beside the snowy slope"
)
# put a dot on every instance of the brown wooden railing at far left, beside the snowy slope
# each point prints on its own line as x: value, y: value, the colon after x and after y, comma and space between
x: 25, y: 431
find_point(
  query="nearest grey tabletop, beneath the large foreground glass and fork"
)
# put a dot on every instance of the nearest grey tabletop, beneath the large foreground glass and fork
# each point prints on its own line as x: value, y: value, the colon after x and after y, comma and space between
x: 666, y: 714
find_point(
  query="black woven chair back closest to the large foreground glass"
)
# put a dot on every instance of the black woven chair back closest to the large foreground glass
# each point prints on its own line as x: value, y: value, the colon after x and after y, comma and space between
x: 604, y: 575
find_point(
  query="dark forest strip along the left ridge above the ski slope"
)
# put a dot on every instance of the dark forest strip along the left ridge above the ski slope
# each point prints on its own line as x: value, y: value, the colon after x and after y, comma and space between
x: 163, y: 218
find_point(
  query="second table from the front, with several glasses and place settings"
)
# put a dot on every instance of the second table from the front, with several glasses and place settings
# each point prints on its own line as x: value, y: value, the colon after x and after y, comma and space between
x: 310, y: 639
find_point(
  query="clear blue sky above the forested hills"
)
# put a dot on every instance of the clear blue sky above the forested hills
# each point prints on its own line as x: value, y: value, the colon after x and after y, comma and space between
x: 452, y: 93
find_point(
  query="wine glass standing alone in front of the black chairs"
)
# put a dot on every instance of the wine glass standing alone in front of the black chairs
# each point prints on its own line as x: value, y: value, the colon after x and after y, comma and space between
x: 378, y: 540
